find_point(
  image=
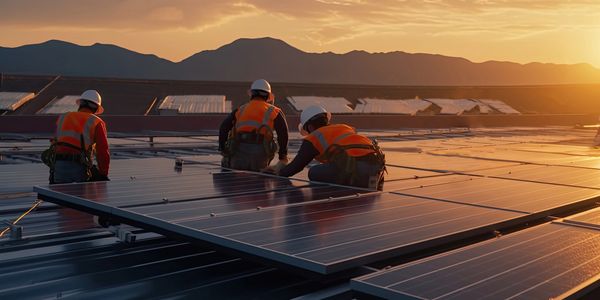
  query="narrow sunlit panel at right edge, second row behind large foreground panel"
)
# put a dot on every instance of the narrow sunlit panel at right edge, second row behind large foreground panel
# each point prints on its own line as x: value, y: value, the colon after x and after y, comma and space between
x: 560, y: 175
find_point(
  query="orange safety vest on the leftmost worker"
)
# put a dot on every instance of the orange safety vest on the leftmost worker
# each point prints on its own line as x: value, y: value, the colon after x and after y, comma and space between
x: 71, y: 126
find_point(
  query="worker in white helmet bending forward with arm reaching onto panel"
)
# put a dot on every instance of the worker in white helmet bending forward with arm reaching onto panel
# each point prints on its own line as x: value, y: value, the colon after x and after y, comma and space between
x: 347, y: 157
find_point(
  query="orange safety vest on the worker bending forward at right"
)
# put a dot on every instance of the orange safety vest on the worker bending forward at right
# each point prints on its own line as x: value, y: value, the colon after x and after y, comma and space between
x: 342, y: 135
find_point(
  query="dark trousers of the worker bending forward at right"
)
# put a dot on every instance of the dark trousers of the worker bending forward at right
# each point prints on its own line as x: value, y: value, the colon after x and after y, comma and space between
x: 368, y: 175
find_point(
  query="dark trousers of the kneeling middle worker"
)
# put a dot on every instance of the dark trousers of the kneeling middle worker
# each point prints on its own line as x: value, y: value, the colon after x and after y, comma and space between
x: 250, y: 157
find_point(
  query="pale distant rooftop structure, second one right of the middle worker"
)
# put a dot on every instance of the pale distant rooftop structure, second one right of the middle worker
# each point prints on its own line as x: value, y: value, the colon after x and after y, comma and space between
x: 391, y: 106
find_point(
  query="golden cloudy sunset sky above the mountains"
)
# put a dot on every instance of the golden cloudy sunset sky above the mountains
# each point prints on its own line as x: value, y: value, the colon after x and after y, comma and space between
x: 521, y: 31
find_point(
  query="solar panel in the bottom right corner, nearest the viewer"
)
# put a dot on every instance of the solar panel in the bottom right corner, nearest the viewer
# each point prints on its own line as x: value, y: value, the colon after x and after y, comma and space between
x: 549, y: 261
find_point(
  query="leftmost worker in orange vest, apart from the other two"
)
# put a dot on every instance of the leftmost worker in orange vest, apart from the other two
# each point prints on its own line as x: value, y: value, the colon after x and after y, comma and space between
x: 80, y: 135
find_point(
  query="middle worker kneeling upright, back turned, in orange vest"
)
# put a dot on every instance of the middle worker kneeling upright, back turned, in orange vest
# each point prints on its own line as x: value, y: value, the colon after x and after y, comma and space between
x: 246, y: 138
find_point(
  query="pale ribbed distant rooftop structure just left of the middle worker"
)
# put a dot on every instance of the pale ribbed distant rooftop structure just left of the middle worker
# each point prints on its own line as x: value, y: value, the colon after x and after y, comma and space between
x: 194, y: 104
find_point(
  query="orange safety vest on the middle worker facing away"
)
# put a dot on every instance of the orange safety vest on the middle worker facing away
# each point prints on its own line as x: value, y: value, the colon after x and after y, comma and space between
x: 256, y: 115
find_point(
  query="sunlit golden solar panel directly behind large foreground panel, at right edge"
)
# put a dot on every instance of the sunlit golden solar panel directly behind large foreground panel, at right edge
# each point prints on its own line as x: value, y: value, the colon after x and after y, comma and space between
x: 526, y: 197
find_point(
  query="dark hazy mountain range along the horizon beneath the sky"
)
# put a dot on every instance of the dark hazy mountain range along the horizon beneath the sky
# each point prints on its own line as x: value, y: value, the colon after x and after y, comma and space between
x: 275, y: 60
